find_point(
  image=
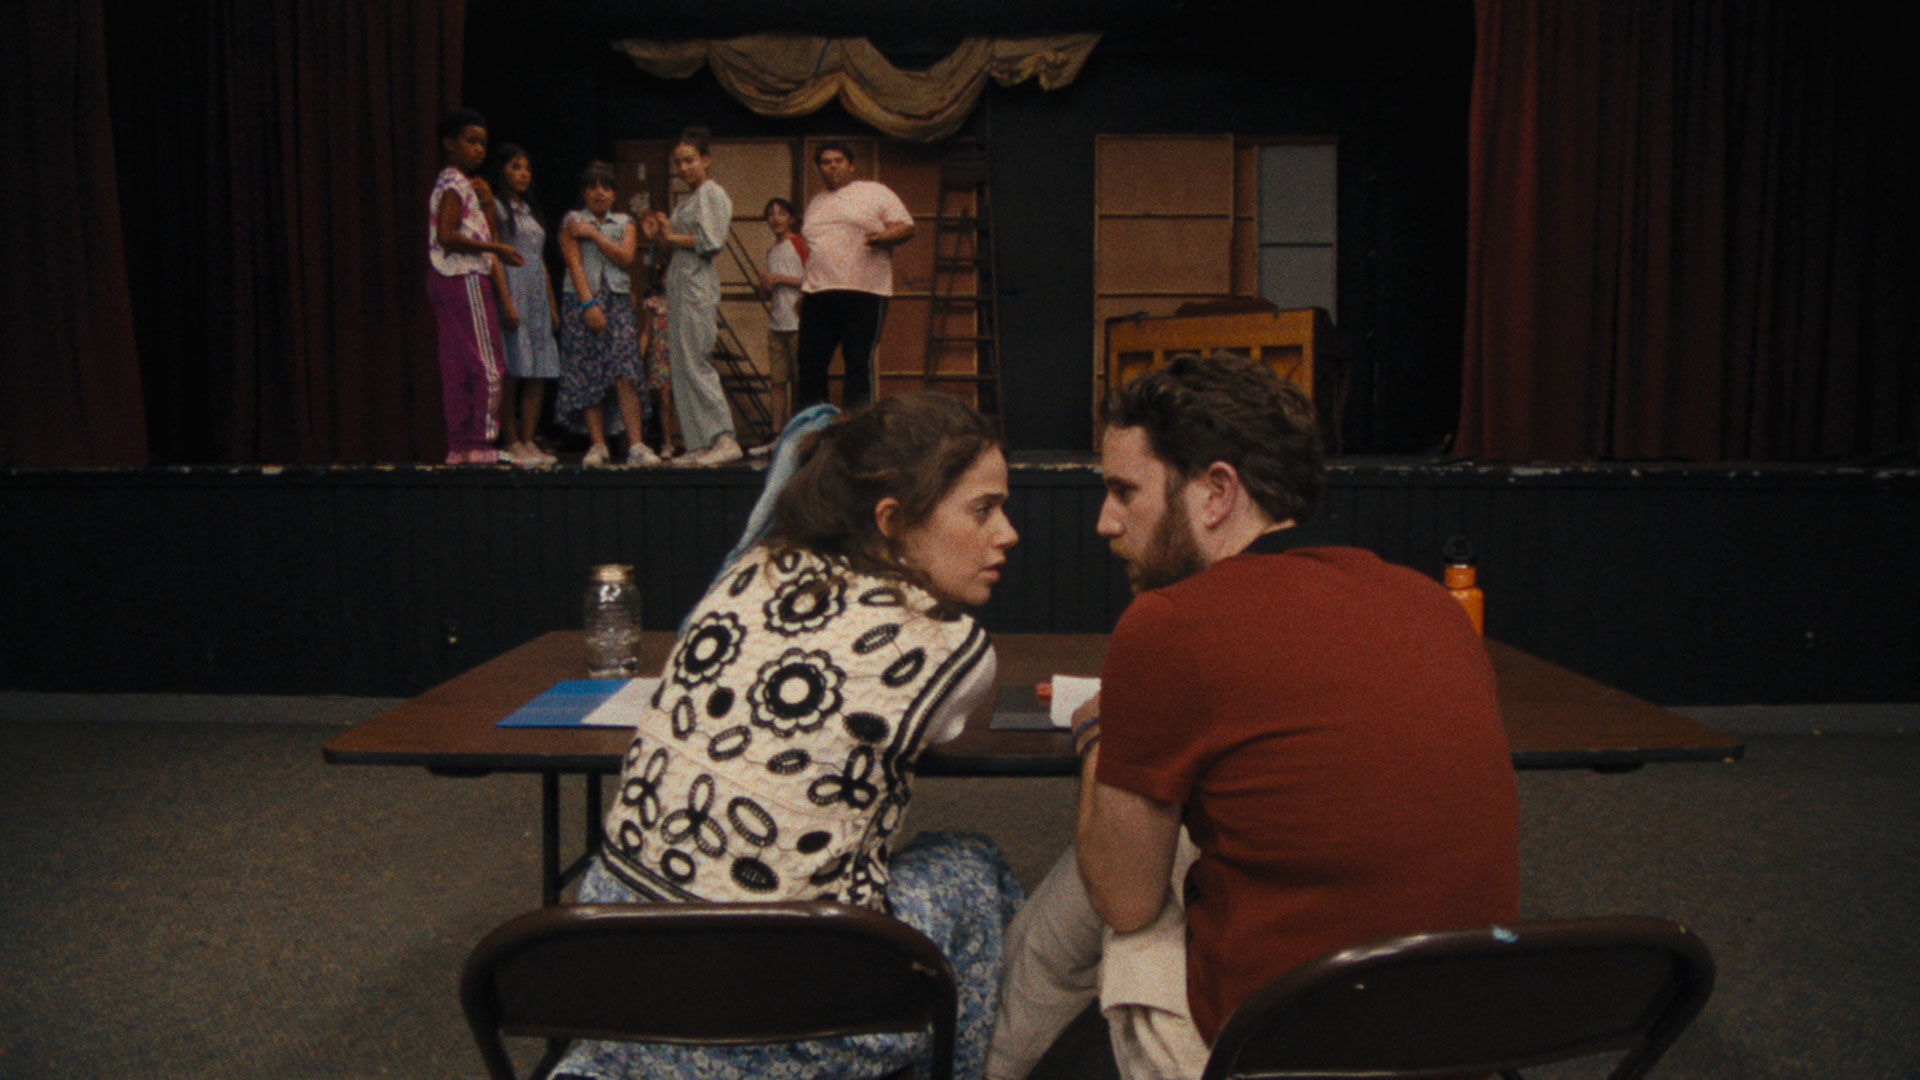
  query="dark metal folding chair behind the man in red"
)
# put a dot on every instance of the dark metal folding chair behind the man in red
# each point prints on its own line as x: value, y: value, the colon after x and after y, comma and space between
x: 1464, y: 1004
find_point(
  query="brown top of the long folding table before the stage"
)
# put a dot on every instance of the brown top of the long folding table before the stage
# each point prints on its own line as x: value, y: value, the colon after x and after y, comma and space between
x: 1556, y: 720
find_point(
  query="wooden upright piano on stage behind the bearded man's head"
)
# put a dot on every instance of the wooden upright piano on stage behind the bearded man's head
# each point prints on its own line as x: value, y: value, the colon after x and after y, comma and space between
x: 1301, y: 347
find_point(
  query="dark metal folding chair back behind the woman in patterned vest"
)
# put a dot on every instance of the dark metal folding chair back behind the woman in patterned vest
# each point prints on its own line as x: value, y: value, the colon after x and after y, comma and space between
x: 706, y: 973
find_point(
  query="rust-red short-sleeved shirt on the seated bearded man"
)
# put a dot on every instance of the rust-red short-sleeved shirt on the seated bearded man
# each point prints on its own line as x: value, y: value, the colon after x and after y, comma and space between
x: 1332, y: 727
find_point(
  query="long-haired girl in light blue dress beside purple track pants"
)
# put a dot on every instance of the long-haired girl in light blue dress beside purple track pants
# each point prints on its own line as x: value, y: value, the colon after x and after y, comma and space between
x: 529, y: 312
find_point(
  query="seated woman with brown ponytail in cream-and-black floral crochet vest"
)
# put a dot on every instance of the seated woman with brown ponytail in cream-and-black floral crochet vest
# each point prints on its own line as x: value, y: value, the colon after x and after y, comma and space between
x: 779, y: 758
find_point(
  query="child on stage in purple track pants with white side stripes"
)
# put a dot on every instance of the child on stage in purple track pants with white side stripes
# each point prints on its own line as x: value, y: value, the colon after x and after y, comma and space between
x: 460, y: 253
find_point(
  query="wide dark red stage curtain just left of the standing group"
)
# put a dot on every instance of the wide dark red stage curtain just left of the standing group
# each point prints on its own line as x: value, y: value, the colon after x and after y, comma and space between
x: 274, y: 170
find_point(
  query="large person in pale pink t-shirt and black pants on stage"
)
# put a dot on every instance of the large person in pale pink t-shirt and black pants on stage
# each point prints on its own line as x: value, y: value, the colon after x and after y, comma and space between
x: 852, y: 232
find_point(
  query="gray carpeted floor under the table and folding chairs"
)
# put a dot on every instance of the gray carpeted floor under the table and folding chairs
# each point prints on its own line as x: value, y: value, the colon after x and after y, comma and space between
x: 208, y: 900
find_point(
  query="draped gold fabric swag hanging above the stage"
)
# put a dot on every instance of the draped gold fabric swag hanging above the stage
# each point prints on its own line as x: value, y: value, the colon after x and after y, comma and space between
x: 794, y: 76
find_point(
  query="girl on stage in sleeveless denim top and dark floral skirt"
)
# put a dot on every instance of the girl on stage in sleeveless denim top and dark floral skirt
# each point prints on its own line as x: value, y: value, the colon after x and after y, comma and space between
x: 600, y: 351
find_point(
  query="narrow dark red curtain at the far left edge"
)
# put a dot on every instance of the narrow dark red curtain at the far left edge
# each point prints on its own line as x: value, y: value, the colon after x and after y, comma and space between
x: 70, y: 380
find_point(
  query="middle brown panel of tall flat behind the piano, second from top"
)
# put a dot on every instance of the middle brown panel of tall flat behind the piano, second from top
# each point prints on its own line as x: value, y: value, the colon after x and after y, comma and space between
x: 1164, y: 255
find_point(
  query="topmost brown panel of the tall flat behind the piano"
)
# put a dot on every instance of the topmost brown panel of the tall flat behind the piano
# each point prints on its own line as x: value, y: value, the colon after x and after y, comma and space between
x: 1164, y: 174
